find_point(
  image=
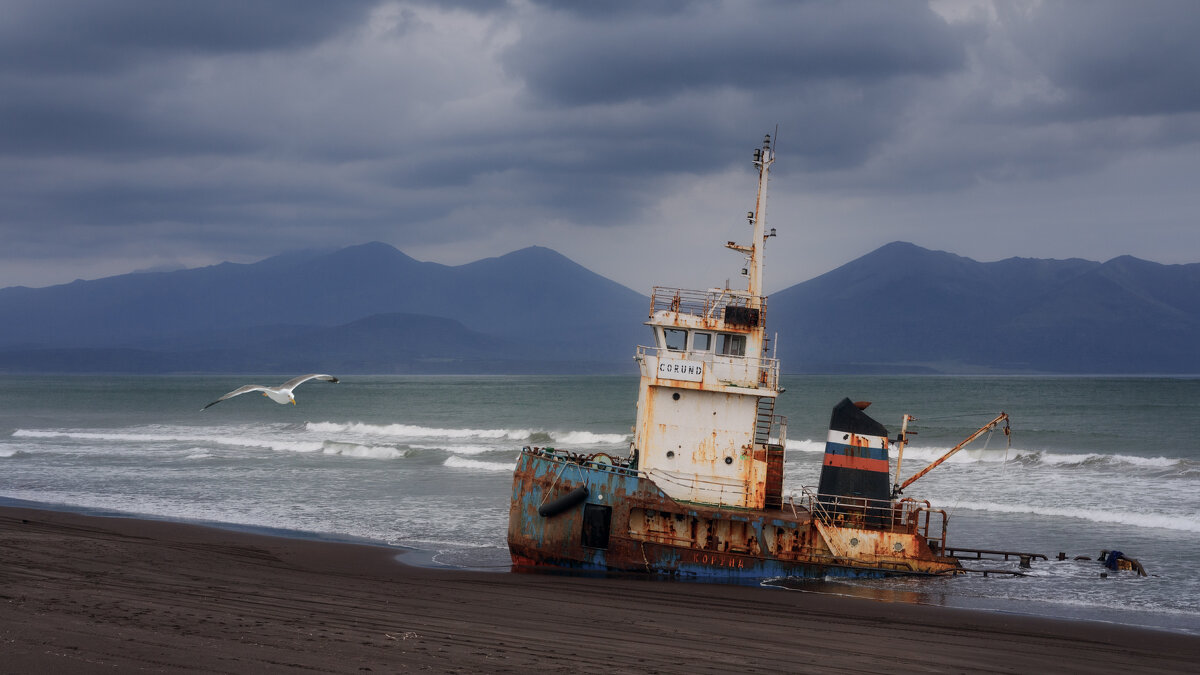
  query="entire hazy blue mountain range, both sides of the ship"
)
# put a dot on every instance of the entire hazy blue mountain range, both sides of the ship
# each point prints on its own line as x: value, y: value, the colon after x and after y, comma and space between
x: 371, y: 309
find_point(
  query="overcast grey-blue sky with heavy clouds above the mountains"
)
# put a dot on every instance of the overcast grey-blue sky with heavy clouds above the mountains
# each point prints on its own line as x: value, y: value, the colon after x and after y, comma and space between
x: 142, y: 134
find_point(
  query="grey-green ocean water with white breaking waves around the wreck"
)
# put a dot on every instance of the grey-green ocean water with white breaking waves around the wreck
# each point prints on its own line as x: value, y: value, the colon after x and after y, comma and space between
x: 427, y: 463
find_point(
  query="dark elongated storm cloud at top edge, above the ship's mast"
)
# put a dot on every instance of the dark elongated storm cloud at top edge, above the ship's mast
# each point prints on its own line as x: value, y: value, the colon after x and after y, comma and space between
x: 711, y: 46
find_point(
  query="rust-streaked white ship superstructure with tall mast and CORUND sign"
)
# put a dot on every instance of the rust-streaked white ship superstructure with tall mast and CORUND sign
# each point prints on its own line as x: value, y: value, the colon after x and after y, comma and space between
x: 706, y: 427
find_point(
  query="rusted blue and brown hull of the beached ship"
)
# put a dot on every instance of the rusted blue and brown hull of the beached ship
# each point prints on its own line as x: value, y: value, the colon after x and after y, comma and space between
x: 626, y: 523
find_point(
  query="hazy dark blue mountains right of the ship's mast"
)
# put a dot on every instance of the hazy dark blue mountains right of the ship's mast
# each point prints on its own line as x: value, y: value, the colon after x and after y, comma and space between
x: 921, y: 310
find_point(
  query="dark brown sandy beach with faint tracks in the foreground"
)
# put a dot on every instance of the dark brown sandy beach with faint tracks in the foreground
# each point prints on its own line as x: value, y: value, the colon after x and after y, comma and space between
x: 100, y: 595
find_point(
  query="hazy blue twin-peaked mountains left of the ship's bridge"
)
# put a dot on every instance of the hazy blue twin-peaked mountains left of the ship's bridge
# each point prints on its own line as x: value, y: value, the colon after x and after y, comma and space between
x: 382, y: 313
